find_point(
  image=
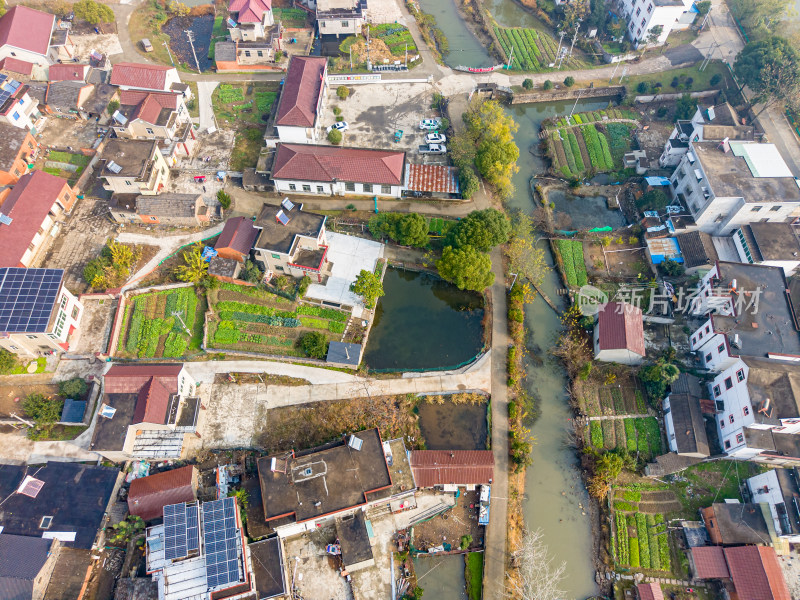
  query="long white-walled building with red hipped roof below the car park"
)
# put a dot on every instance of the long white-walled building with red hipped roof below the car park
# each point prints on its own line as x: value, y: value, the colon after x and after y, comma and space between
x: 335, y: 171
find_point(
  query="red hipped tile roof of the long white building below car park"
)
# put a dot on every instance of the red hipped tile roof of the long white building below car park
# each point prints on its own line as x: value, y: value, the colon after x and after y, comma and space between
x: 303, y: 162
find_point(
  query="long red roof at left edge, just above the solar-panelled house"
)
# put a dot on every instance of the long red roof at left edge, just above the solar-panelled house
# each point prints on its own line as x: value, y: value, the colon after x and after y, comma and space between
x: 27, y: 204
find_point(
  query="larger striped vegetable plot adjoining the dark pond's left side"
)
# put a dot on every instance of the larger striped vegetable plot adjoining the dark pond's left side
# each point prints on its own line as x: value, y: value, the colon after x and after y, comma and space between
x: 253, y: 320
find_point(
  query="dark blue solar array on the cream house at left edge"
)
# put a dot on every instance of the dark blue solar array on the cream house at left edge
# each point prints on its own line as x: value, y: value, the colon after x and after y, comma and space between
x: 27, y: 297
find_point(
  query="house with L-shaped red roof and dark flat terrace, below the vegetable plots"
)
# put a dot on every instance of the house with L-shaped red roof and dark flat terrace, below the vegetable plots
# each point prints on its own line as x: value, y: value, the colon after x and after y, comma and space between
x: 147, y: 411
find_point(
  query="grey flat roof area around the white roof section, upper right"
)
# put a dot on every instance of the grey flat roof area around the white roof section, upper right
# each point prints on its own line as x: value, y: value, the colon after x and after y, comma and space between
x: 730, y: 177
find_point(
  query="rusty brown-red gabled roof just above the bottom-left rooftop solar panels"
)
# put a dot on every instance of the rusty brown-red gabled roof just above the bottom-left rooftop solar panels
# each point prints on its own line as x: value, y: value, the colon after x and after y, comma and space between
x: 148, y: 496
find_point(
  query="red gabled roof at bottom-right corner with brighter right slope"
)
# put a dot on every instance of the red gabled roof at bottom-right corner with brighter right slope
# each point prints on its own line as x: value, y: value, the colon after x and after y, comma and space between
x: 756, y: 573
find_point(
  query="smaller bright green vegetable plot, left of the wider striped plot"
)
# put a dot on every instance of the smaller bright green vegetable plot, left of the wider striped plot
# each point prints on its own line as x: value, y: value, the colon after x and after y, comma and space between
x: 161, y: 324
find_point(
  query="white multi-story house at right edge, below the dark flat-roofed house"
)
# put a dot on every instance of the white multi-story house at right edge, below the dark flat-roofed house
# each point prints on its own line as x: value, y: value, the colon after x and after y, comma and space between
x: 758, y: 410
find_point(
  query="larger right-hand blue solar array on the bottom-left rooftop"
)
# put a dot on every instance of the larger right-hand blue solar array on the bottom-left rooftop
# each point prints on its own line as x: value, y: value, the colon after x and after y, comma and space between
x: 220, y: 537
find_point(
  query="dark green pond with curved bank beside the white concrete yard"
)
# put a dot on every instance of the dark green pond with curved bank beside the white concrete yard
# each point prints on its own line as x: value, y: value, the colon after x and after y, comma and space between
x: 423, y: 322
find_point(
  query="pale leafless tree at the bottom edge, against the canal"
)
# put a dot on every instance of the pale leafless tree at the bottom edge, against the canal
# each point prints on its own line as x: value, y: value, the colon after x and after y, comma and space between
x: 538, y: 577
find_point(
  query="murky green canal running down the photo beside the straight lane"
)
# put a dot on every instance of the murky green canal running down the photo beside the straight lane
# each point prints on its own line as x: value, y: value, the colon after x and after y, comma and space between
x: 555, y: 498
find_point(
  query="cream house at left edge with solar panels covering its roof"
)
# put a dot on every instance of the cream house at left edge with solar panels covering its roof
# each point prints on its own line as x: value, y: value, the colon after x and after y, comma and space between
x: 37, y: 313
